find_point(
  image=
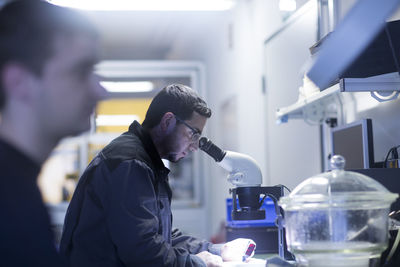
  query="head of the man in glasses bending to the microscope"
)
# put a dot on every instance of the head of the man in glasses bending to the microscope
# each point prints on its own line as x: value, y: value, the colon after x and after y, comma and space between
x: 180, y: 115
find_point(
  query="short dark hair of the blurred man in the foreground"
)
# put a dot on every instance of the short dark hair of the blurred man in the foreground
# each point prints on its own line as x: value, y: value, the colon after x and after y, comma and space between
x: 28, y: 29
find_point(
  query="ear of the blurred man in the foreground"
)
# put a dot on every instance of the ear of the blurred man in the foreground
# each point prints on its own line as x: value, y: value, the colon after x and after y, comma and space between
x: 16, y: 81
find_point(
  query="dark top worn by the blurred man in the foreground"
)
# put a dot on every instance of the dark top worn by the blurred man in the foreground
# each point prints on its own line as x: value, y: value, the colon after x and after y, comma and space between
x: 26, y: 238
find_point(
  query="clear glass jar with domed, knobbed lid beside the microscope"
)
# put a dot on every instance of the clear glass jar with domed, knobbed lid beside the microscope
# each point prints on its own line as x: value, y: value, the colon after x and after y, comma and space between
x: 337, y: 218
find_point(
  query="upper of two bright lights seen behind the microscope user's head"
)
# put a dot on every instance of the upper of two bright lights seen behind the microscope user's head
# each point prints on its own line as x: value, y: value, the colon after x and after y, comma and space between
x: 127, y: 87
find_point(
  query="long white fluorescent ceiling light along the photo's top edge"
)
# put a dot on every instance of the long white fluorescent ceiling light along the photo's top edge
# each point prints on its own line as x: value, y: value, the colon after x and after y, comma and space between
x: 156, y: 5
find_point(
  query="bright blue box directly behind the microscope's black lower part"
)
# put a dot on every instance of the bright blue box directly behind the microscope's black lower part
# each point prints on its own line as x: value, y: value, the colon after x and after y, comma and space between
x: 270, y: 215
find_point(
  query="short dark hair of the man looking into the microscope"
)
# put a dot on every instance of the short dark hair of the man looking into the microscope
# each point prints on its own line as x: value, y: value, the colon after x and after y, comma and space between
x: 178, y: 99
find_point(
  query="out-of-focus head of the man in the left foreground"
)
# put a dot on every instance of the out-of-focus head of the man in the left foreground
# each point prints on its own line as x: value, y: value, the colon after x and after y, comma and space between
x: 47, y: 55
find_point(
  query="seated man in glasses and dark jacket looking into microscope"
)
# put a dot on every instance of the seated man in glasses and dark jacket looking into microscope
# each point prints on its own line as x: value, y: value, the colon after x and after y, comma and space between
x: 120, y: 214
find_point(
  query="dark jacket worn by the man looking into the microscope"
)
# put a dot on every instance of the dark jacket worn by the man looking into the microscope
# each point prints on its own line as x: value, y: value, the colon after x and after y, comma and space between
x: 120, y: 213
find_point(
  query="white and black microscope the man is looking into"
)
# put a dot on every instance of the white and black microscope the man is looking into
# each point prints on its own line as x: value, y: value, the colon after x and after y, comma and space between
x: 245, y: 175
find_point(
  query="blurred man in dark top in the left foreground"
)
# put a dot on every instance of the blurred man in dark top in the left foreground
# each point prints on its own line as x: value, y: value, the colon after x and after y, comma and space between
x: 47, y: 92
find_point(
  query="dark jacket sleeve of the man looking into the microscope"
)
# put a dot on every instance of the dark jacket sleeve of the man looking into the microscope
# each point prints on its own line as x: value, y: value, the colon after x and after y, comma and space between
x: 131, y: 212
